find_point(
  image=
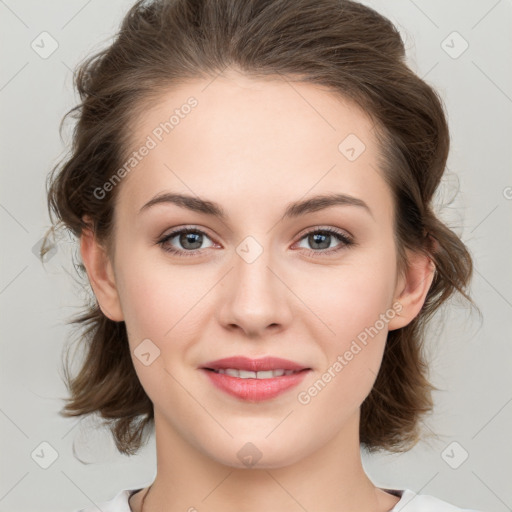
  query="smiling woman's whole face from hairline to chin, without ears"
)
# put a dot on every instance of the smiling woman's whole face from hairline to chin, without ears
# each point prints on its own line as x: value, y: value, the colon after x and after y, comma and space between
x: 264, y: 280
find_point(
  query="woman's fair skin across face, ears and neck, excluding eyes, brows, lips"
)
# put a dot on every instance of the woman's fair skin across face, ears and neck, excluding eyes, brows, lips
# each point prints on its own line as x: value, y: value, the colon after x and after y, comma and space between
x: 254, y: 146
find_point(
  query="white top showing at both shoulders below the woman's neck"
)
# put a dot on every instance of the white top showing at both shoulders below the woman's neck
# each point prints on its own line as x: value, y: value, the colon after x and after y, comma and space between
x: 409, y: 502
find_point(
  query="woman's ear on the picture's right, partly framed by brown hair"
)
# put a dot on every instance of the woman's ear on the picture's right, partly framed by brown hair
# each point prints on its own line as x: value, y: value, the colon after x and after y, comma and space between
x: 412, y: 288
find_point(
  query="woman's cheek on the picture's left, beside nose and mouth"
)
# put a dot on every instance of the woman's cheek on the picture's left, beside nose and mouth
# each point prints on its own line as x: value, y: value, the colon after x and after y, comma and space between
x: 155, y: 301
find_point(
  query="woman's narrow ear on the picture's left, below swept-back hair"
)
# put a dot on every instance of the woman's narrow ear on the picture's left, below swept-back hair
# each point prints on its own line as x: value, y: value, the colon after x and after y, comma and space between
x: 101, y: 275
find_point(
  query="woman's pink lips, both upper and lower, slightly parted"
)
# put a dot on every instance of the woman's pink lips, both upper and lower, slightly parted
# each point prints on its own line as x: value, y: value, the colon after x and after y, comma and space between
x: 255, y: 390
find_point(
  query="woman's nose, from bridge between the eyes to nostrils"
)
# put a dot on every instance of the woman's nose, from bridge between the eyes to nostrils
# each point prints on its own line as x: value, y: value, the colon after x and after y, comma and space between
x: 256, y: 298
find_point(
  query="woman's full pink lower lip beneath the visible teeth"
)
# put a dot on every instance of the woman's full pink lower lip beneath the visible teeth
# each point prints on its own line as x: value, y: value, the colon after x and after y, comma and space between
x: 255, y: 390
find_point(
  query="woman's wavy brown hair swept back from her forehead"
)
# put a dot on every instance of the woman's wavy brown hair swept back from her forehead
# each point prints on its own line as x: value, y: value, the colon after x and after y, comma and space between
x: 339, y: 44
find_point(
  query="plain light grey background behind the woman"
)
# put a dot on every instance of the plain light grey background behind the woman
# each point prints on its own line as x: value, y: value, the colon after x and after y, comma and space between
x: 471, y: 356
